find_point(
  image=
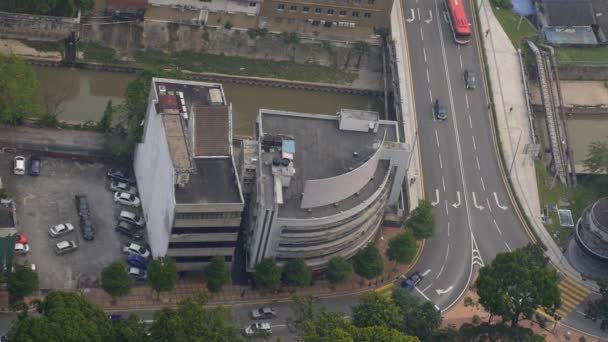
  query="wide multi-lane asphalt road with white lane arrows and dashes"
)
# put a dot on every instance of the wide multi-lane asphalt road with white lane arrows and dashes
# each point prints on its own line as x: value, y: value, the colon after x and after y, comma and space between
x: 474, y: 216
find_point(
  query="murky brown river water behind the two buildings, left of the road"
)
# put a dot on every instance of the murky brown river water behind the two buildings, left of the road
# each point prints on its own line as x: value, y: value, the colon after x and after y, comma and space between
x: 81, y: 96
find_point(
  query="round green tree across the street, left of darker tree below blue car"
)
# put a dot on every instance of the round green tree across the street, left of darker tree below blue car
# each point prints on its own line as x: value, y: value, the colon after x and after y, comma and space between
x: 375, y: 310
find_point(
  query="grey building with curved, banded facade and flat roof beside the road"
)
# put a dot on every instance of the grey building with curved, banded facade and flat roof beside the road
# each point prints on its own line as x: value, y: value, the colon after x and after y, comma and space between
x: 322, y: 185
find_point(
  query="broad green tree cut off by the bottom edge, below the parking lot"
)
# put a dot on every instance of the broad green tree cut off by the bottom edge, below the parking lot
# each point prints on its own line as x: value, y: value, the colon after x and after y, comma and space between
x: 63, y: 316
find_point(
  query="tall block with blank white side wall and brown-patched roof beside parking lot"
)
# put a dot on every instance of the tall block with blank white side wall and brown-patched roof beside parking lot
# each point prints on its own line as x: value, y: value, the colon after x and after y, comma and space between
x: 190, y: 192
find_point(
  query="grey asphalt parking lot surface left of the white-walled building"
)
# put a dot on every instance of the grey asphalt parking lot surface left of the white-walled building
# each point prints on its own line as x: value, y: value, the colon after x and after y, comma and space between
x: 49, y: 200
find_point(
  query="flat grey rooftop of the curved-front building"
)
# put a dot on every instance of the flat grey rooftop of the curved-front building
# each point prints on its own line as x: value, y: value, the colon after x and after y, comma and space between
x: 325, y: 155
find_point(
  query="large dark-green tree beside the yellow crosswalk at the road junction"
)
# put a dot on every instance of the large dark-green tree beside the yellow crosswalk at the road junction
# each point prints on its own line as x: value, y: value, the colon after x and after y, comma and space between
x: 517, y: 283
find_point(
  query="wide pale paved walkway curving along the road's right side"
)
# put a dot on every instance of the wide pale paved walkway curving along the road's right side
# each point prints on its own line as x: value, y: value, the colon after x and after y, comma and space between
x: 515, y: 132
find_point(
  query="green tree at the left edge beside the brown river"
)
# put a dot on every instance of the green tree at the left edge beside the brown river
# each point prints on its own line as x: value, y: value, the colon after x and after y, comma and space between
x: 19, y: 91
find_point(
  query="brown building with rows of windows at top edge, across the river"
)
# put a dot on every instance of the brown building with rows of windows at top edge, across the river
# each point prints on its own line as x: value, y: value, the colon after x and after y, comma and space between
x: 356, y: 19
